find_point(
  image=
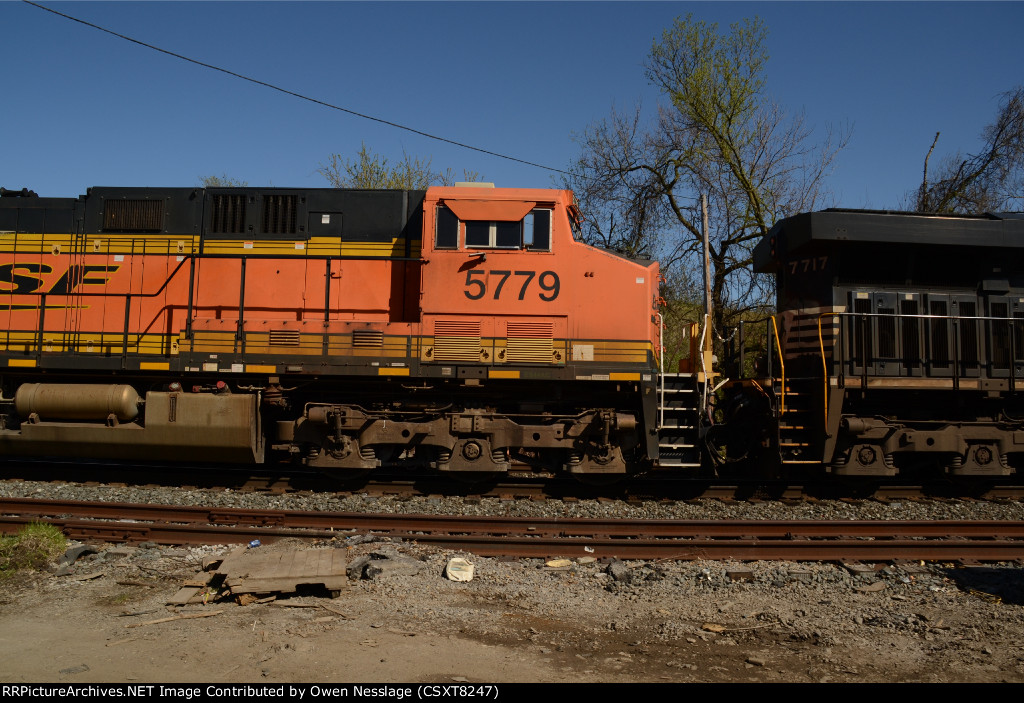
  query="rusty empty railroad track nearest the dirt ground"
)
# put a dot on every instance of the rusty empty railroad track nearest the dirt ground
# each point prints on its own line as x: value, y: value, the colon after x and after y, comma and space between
x: 491, y: 537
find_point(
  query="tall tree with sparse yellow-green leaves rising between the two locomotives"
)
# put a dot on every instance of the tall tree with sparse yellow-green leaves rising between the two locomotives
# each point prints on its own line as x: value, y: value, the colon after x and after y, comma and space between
x: 717, y: 134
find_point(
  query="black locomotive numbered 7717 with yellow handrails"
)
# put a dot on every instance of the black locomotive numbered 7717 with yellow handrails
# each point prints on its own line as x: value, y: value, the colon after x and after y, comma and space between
x: 898, y: 346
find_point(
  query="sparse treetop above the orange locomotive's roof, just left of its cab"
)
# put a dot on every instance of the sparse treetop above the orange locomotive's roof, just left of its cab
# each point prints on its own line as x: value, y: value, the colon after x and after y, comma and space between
x: 371, y: 171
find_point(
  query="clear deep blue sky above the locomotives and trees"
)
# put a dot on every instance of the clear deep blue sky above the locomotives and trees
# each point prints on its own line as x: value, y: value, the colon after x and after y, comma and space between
x: 84, y: 109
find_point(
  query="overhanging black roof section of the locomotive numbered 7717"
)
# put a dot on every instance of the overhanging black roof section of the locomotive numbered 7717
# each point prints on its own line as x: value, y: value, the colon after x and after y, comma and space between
x: 887, y: 228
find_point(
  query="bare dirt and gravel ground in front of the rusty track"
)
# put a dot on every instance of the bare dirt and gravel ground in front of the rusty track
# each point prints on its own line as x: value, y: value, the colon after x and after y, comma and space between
x: 518, y: 621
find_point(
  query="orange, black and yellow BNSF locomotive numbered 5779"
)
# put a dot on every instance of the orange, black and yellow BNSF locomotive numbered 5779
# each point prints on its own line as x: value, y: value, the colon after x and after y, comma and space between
x: 458, y: 328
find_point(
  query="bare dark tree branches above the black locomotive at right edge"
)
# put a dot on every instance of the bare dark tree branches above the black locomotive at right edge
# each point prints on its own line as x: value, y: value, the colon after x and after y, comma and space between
x: 991, y: 181
